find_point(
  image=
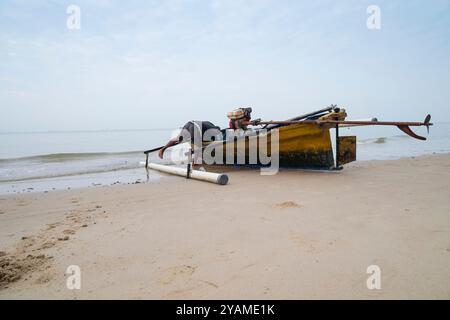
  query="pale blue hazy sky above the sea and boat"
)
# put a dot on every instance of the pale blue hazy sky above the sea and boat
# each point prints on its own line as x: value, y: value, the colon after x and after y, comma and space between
x: 158, y: 64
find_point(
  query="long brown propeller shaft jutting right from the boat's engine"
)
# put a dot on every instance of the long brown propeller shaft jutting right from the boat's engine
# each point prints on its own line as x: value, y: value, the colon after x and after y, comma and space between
x: 404, y: 126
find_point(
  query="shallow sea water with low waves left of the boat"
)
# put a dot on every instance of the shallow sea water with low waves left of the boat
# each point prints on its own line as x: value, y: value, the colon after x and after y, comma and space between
x: 46, y: 161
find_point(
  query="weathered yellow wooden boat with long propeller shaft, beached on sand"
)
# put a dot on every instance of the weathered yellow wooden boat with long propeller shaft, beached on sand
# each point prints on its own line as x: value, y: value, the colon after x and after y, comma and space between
x: 303, y: 141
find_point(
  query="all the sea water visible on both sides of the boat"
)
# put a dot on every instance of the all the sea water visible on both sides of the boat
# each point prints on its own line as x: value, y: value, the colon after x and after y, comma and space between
x: 46, y: 161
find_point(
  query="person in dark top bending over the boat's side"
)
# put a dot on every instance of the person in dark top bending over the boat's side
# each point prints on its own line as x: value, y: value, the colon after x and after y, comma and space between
x: 189, y: 131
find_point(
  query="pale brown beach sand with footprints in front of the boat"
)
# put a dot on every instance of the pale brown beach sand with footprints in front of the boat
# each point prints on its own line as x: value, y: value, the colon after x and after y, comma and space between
x: 294, y: 235
